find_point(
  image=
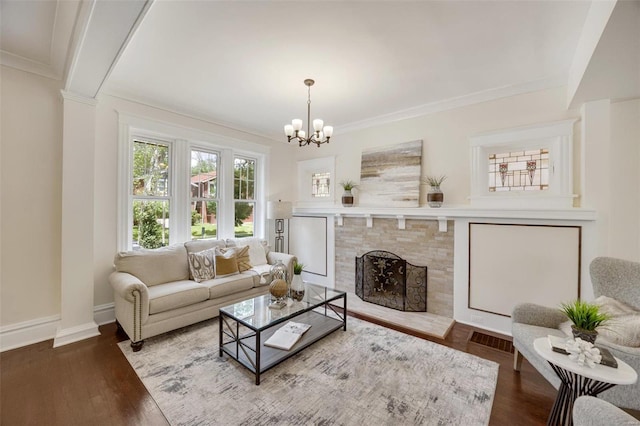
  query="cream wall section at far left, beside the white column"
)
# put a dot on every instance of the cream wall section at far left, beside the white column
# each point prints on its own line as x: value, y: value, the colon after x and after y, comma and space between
x: 31, y: 111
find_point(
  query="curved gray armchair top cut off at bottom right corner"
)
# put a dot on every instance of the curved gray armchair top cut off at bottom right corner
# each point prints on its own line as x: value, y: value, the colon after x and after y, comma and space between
x: 590, y: 411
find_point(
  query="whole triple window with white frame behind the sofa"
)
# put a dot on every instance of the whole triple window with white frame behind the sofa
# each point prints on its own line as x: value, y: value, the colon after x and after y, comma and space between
x: 177, y: 184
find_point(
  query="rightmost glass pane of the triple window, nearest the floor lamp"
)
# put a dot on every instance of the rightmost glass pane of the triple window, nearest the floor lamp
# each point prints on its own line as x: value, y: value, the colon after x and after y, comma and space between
x: 244, y: 195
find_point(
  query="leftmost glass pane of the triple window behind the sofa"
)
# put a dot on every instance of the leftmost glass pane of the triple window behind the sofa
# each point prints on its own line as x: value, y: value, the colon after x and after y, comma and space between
x: 150, y: 194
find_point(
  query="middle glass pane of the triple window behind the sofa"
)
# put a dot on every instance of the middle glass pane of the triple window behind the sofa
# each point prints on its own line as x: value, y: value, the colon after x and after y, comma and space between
x: 204, y: 194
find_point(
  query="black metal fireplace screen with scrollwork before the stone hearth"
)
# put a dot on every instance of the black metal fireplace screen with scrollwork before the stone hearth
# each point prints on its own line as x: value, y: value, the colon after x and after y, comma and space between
x: 388, y: 280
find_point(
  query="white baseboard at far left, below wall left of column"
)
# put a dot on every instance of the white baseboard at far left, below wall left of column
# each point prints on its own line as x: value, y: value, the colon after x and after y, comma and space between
x: 28, y: 332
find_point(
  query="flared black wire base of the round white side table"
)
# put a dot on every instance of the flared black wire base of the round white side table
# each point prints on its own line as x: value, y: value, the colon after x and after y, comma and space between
x: 572, y: 385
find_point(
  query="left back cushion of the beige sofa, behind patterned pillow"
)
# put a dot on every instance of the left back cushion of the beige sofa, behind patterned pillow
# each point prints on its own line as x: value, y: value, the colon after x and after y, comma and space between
x: 155, y: 266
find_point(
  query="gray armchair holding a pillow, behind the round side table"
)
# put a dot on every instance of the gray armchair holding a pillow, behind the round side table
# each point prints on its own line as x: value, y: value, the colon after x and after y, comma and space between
x: 615, y: 278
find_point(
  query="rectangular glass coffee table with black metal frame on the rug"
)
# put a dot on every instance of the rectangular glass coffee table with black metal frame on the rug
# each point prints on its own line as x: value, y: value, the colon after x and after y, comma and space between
x: 246, y: 325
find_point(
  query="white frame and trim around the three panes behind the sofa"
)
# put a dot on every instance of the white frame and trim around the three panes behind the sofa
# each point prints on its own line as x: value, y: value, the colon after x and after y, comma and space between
x: 182, y: 140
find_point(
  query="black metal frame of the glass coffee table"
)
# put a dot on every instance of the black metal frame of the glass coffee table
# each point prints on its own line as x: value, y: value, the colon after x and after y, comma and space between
x: 236, y: 337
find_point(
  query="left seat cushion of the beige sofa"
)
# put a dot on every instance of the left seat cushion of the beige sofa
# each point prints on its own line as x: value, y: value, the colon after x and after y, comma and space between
x: 164, y: 297
